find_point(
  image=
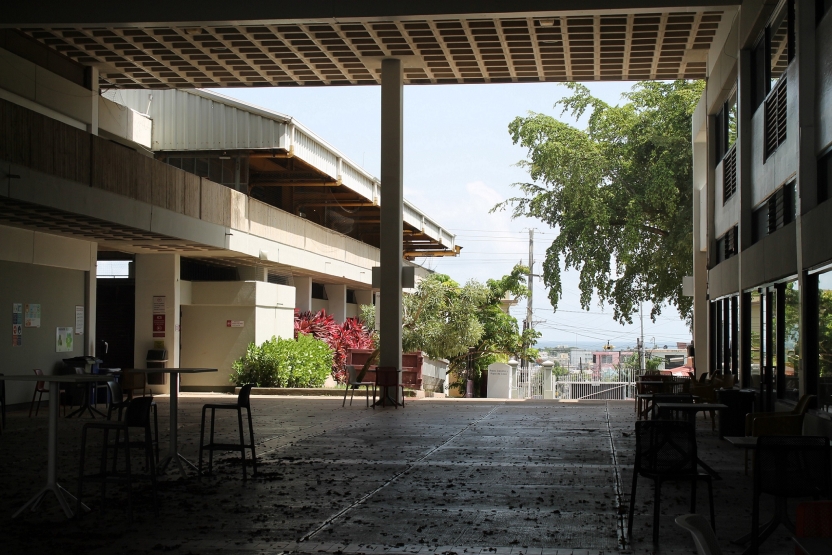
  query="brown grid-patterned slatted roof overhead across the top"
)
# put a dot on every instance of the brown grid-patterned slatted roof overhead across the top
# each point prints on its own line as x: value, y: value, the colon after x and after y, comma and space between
x: 640, y: 45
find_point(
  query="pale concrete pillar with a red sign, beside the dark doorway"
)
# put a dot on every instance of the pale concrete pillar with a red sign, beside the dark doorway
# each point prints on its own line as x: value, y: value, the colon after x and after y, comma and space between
x: 157, y: 275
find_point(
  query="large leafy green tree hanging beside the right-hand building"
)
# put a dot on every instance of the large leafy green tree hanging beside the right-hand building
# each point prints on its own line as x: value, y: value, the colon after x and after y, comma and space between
x: 617, y: 192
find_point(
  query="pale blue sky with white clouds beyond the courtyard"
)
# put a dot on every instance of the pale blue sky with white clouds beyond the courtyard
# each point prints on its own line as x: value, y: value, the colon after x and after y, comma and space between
x: 459, y: 161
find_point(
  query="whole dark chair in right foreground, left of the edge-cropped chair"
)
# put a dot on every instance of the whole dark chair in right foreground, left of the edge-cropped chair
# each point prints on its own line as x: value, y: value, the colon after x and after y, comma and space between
x: 666, y: 451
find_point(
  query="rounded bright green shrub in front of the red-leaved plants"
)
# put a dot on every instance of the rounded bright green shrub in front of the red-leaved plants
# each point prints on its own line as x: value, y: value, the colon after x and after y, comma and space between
x: 304, y: 362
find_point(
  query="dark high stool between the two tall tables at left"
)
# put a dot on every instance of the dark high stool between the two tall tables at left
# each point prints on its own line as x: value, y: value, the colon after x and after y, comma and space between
x: 137, y: 415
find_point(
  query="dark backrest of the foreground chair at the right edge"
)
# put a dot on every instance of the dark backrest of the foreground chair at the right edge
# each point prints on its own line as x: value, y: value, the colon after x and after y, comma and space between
x: 793, y: 466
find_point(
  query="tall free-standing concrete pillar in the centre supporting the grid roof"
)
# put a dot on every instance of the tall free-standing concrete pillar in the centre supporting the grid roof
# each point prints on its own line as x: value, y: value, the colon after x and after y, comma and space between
x: 392, y: 197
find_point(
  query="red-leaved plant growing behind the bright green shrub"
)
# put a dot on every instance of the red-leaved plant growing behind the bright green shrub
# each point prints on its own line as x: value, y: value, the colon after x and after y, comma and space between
x: 352, y: 334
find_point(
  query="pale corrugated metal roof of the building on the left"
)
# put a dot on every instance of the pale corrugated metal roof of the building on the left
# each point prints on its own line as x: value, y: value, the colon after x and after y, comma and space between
x: 200, y: 120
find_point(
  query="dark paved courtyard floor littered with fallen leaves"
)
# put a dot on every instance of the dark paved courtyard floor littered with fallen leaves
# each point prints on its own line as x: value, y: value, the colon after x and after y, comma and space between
x: 440, y: 476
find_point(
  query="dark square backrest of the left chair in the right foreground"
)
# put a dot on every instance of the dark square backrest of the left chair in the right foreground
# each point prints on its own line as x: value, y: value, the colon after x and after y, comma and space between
x: 666, y: 447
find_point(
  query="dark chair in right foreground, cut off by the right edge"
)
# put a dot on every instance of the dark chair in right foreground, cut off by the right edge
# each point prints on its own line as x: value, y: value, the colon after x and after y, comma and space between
x: 787, y: 466
